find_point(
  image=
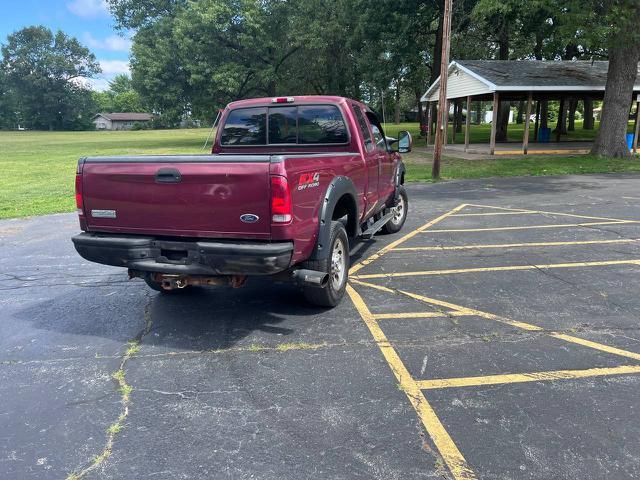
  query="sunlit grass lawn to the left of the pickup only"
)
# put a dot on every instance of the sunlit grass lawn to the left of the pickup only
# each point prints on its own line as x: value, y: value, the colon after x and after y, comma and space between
x: 38, y: 168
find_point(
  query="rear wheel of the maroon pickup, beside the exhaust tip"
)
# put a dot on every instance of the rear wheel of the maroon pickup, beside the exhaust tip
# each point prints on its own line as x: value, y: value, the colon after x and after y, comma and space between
x: 336, y: 265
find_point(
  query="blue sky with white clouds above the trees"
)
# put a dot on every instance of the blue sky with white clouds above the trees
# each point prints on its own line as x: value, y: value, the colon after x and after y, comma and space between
x: 87, y: 20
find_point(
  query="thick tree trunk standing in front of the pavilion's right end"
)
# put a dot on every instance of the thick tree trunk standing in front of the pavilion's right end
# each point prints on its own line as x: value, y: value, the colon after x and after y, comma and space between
x: 623, y: 69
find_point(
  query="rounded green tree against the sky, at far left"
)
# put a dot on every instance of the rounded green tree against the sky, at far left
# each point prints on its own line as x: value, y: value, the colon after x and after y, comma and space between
x: 44, y: 74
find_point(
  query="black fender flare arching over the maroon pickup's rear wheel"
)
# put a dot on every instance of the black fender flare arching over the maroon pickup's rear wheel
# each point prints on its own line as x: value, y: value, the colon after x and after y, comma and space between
x: 338, y: 187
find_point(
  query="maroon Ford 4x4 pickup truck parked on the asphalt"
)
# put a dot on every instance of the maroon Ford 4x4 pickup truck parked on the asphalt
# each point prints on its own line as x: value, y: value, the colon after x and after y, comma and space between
x: 291, y: 181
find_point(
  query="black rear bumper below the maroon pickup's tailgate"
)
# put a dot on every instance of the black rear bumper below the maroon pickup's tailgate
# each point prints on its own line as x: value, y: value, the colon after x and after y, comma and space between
x: 196, y: 257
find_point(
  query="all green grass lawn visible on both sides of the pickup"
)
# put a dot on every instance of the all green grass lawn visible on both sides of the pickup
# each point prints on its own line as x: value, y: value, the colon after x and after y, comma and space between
x: 38, y: 167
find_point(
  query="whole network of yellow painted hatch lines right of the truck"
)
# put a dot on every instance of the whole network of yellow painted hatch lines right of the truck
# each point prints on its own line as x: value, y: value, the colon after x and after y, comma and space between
x: 447, y: 448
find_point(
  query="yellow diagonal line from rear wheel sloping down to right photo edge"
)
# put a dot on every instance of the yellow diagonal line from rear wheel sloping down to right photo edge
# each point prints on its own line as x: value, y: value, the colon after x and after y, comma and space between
x: 522, y: 325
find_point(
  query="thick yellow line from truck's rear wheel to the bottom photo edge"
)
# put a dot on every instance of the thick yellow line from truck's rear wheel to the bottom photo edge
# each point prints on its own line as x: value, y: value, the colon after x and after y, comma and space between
x: 444, y: 443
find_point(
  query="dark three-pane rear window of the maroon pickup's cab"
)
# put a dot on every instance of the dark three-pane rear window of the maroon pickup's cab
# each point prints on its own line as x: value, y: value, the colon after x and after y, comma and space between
x: 286, y: 125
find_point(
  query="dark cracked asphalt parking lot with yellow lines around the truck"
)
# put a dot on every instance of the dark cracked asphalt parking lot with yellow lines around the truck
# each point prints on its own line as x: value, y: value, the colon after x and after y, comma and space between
x: 495, y: 337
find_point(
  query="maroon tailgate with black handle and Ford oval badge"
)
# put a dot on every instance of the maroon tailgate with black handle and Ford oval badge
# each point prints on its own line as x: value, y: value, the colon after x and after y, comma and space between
x: 183, y: 195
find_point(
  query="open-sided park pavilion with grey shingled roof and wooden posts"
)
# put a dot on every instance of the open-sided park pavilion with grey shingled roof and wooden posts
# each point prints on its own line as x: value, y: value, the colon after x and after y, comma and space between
x: 523, y: 80
